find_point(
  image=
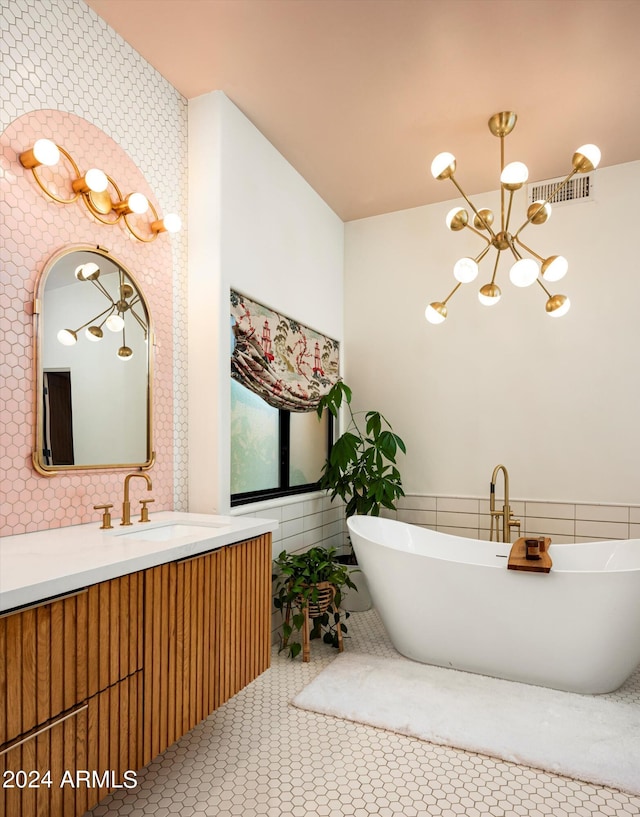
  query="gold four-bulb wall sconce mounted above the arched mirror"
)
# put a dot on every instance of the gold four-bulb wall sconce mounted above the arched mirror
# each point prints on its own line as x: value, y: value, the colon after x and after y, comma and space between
x: 98, y: 191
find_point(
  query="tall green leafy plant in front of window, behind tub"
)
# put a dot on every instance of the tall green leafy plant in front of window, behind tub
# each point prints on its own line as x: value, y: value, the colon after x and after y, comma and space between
x: 361, y: 468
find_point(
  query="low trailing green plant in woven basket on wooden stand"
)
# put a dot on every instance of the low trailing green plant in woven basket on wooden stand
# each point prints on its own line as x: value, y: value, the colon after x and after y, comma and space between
x: 308, y: 589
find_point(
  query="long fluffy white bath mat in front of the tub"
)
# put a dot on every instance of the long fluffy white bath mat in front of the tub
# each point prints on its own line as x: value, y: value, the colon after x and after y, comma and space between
x: 590, y: 738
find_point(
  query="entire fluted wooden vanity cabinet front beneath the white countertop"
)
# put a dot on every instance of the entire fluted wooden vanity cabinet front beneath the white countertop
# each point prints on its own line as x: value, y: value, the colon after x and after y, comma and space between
x: 103, y: 680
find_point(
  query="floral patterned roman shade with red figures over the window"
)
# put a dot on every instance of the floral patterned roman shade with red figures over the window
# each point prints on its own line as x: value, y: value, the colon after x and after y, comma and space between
x: 289, y: 365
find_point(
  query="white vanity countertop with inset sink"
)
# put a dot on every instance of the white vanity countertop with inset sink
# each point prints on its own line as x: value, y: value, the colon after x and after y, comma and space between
x: 37, y: 566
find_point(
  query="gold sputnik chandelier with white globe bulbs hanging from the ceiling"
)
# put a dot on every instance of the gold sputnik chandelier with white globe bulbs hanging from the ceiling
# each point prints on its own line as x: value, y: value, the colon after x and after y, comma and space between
x: 525, y: 270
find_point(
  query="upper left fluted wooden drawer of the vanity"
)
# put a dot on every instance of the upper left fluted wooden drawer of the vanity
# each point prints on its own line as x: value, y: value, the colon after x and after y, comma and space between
x: 57, y: 654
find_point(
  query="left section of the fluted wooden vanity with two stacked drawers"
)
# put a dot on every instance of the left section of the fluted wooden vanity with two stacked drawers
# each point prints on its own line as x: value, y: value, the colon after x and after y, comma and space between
x: 69, y: 669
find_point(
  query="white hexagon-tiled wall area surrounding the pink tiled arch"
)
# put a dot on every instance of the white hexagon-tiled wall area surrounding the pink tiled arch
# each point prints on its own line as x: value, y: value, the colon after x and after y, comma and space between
x: 43, y: 65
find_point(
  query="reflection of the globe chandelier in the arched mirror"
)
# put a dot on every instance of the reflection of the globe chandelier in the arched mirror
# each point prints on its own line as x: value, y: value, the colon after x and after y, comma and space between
x: 113, y: 316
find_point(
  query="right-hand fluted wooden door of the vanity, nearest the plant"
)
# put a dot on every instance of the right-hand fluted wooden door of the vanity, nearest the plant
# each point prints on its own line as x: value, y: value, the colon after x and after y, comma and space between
x: 207, y: 635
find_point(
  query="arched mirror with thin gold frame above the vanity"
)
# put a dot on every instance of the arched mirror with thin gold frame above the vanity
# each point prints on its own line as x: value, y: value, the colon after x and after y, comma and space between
x: 93, y: 363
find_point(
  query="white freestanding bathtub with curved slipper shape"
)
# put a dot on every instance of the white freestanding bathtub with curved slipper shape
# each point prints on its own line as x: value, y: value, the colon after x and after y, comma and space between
x: 451, y: 601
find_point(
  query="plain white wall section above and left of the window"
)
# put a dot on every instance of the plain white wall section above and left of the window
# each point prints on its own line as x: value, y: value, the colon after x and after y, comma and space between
x: 258, y: 227
